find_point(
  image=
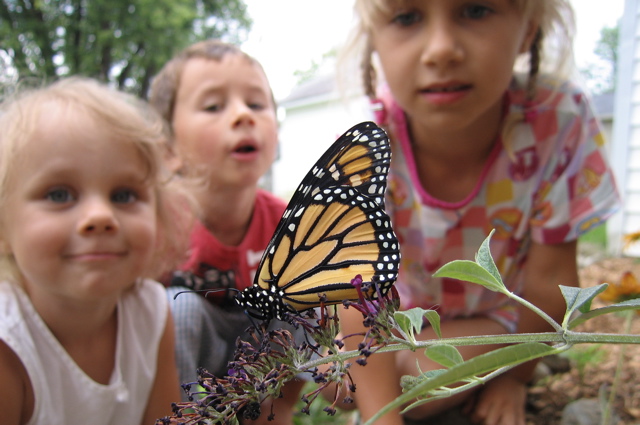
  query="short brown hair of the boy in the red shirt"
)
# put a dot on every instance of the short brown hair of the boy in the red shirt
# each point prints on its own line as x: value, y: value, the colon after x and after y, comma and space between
x: 164, y: 87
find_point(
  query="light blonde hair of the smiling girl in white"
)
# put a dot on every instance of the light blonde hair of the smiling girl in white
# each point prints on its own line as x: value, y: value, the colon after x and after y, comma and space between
x: 127, y: 119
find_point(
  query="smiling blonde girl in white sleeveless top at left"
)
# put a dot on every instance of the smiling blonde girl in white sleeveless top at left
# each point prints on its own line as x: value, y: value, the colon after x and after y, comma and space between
x: 86, y: 219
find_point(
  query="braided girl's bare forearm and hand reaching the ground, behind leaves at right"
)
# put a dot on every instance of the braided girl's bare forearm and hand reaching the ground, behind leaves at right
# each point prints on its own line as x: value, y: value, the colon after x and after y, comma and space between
x: 501, y: 402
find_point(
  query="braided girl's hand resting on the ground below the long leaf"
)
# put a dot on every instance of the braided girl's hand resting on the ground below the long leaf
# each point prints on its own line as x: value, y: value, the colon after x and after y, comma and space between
x: 500, y: 402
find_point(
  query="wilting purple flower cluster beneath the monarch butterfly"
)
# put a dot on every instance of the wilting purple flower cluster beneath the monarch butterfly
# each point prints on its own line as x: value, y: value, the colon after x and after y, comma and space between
x: 261, y: 367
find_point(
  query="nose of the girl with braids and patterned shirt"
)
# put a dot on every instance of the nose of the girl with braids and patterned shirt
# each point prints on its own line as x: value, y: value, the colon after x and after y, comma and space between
x: 442, y: 46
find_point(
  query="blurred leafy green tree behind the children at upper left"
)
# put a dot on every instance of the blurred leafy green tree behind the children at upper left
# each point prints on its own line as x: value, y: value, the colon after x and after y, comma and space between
x: 124, y: 42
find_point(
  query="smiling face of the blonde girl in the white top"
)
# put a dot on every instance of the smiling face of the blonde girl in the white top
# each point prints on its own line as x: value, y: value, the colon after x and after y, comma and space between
x: 84, y: 214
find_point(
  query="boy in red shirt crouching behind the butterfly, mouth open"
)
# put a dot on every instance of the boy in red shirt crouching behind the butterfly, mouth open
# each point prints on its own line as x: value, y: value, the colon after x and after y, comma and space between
x: 222, y: 115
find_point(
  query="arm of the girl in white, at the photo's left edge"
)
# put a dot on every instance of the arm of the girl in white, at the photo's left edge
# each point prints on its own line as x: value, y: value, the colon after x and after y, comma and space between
x: 16, y: 394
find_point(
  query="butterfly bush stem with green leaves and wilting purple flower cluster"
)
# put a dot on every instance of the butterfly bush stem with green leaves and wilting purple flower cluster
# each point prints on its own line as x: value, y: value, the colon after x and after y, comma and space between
x: 390, y: 331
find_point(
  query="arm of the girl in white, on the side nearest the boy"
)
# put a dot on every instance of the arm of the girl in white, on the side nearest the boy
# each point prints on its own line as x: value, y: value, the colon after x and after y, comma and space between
x: 166, y: 388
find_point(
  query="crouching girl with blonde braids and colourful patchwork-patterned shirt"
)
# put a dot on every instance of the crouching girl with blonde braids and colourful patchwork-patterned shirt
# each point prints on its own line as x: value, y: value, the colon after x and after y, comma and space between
x: 478, y: 146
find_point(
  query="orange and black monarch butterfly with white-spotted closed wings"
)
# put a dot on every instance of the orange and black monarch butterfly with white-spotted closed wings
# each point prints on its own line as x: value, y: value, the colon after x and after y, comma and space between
x: 333, y: 229
